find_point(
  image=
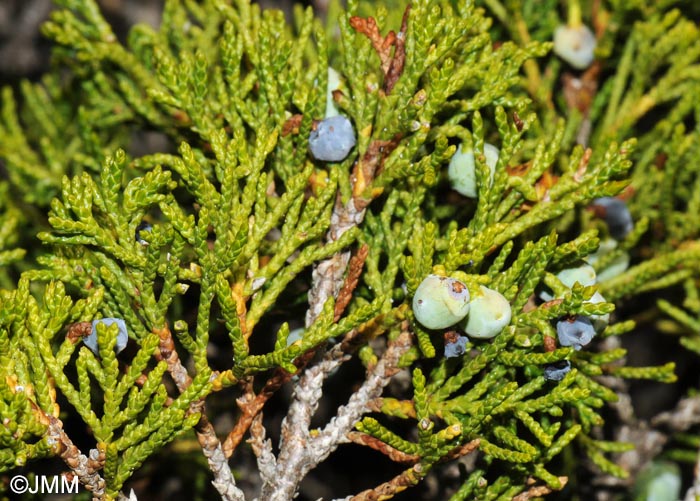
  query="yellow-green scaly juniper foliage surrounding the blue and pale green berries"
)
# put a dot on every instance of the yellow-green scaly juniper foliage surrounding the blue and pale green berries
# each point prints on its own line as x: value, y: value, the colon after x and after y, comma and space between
x: 214, y: 247
